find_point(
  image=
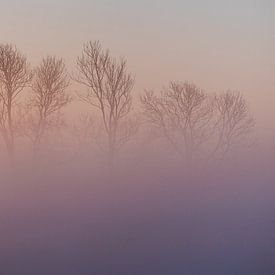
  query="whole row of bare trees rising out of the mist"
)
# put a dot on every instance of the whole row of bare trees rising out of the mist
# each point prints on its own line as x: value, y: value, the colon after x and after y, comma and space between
x: 196, y: 125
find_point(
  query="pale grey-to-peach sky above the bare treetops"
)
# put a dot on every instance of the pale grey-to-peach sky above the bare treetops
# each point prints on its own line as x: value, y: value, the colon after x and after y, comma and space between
x: 218, y: 44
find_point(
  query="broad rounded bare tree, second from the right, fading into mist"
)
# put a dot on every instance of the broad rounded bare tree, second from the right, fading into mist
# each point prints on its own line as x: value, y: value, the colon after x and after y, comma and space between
x: 182, y: 113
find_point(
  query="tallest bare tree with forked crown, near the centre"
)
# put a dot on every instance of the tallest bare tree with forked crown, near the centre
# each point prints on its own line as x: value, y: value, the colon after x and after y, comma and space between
x: 109, y: 90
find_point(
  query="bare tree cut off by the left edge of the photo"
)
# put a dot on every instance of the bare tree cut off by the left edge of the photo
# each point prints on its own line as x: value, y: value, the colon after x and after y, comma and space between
x: 14, y: 77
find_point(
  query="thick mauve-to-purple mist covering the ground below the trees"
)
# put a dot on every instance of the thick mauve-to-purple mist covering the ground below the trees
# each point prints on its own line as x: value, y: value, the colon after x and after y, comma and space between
x: 146, y: 216
